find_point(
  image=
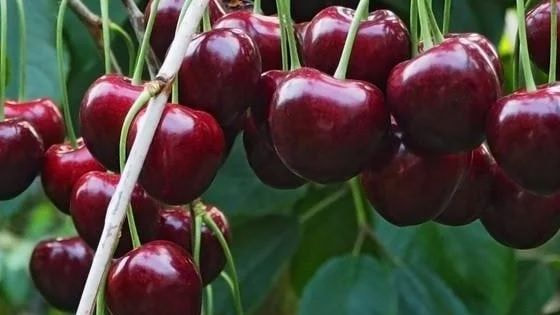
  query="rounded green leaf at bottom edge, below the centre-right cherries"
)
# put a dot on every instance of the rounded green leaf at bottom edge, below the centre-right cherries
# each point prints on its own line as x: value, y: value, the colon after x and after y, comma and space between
x: 350, y: 286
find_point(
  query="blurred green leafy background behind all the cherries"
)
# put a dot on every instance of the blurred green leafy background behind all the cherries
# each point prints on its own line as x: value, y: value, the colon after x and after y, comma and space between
x: 288, y: 265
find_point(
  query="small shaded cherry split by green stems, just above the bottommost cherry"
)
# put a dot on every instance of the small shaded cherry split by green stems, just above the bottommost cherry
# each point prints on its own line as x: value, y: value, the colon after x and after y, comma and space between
x: 176, y: 226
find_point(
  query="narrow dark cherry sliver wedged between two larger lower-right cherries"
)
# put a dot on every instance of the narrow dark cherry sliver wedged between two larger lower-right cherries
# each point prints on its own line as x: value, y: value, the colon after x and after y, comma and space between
x: 473, y: 194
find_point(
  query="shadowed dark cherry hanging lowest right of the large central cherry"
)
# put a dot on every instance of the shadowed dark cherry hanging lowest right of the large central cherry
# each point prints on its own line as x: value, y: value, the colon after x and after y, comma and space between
x: 409, y: 189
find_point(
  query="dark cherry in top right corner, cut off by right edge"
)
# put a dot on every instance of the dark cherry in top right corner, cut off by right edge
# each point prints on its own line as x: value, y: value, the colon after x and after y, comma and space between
x: 538, y: 34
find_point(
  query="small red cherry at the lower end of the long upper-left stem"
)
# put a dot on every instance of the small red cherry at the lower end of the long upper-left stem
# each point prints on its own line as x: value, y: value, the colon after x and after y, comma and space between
x: 63, y: 166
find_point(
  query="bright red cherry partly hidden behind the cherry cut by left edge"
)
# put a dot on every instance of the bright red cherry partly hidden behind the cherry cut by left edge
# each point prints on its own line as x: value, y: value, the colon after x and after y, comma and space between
x: 43, y: 115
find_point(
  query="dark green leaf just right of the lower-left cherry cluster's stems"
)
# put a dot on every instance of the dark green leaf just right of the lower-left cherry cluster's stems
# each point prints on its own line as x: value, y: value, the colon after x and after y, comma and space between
x: 261, y: 248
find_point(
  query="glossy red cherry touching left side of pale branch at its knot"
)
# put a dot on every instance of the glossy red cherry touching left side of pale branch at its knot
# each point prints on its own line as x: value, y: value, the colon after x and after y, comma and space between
x: 102, y: 114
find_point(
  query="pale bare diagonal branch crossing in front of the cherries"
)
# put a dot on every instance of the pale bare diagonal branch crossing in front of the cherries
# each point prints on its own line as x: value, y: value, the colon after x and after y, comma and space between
x: 116, y: 210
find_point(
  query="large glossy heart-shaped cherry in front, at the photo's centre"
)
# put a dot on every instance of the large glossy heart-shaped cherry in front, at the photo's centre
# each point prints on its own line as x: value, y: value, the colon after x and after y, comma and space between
x: 326, y: 130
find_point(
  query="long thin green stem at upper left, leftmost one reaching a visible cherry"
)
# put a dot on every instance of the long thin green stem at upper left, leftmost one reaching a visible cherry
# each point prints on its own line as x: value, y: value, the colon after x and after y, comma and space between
x: 62, y: 74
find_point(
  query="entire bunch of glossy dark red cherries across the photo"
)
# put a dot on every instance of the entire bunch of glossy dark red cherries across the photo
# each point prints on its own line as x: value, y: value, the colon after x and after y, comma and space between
x: 409, y: 118
